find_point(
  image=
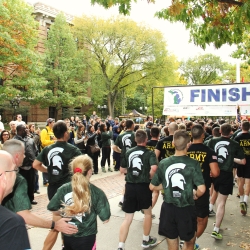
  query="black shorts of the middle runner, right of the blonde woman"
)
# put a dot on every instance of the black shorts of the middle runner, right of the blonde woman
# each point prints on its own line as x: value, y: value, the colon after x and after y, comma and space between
x: 137, y: 196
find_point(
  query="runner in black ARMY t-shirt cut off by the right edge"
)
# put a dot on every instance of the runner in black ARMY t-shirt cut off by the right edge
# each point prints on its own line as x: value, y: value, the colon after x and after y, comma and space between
x: 243, y: 171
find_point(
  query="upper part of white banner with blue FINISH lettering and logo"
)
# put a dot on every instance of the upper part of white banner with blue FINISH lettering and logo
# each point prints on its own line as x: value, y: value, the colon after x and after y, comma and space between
x: 230, y: 94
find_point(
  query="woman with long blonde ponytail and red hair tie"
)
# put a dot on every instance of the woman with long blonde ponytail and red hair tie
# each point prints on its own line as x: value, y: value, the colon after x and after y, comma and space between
x: 81, y: 201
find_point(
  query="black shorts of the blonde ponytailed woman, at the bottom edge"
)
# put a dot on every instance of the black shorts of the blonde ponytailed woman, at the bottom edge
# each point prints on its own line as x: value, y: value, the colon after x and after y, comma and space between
x: 78, y: 243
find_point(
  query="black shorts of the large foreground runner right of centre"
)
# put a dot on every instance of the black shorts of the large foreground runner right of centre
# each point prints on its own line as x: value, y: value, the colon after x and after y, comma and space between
x: 177, y: 222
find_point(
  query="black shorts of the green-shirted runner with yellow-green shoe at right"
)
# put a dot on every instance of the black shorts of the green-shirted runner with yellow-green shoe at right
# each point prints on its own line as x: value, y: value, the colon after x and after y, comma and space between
x: 224, y: 183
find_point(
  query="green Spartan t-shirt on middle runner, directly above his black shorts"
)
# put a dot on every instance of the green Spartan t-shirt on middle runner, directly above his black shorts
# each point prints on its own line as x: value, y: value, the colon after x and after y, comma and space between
x: 138, y: 161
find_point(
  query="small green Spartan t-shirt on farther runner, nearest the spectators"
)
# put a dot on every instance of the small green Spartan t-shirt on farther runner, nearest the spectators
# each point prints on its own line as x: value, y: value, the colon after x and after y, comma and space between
x: 125, y: 141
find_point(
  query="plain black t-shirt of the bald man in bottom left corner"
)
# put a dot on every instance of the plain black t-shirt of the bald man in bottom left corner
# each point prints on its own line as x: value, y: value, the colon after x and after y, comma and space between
x: 13, y: 233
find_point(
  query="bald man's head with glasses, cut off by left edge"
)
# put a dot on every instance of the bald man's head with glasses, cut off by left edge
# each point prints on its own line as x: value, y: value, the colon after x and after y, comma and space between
x: 7, y: 173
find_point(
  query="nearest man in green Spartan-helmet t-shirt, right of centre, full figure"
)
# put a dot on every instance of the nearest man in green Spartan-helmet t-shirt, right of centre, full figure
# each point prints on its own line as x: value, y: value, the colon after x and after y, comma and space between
x: 177, y: 175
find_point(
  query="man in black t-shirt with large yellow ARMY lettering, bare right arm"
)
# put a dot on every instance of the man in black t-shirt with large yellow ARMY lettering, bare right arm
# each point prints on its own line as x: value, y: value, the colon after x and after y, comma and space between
x: 208, y: 163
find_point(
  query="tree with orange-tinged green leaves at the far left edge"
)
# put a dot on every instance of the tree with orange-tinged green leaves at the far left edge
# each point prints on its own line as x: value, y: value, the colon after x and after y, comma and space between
x: 20, y: 64
